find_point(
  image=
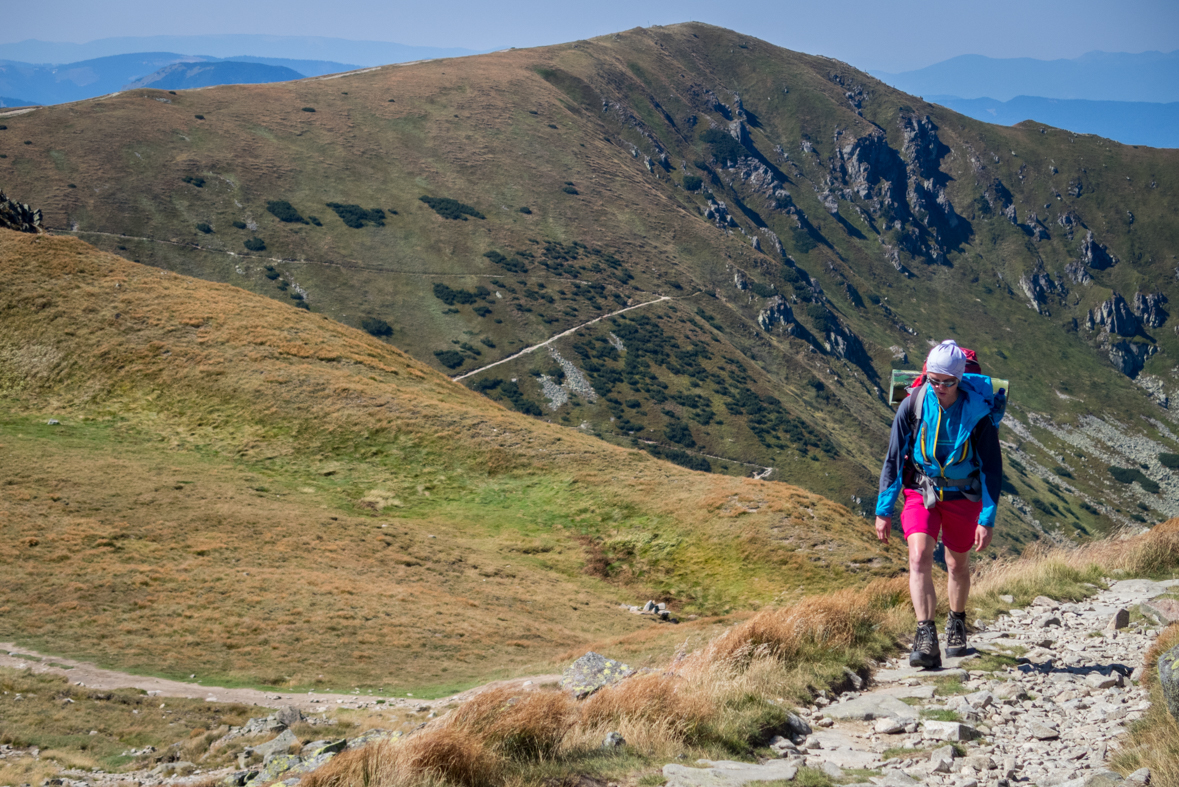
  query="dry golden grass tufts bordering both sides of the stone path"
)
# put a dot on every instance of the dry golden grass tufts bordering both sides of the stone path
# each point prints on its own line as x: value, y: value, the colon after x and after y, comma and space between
x: 723, y: 698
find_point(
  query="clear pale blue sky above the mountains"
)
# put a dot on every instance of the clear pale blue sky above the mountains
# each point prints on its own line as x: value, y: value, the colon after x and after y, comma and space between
x: 877, y: 35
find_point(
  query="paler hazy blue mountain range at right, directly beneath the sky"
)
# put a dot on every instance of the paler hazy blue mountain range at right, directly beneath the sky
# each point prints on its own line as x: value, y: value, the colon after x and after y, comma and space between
x: 1097, y: 76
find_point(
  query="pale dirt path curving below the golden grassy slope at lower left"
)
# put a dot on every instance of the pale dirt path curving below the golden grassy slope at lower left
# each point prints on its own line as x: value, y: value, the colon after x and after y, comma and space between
x: 87, y: 674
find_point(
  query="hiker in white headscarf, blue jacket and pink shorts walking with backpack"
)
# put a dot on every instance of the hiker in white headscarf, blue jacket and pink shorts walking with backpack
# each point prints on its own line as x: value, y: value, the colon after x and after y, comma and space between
x: 944, y: 455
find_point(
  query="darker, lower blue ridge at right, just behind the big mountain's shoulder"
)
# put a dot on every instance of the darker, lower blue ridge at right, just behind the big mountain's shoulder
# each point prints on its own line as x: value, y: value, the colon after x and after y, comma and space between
x: 1131, y: 123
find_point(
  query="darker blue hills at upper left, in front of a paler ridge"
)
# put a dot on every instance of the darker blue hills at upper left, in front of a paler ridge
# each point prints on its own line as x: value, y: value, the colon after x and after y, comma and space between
x: 75, y: 82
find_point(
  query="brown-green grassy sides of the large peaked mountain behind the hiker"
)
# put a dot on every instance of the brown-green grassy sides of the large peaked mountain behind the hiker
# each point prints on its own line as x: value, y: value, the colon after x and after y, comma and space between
x: 482, y: 130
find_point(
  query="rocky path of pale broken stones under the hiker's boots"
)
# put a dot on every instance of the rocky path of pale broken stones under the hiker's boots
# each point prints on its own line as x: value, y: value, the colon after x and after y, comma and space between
x: 1051, y: 722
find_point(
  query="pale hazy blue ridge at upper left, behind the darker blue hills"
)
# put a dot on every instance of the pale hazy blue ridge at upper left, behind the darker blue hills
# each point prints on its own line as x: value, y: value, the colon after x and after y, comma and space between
x: 232, y: 48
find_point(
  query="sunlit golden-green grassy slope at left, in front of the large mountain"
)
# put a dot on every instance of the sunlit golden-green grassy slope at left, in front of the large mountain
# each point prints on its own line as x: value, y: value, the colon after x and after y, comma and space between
x: 255, y: 494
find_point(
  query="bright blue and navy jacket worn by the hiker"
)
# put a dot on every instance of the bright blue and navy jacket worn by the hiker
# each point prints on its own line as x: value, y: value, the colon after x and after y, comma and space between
x: 972, y: 432
